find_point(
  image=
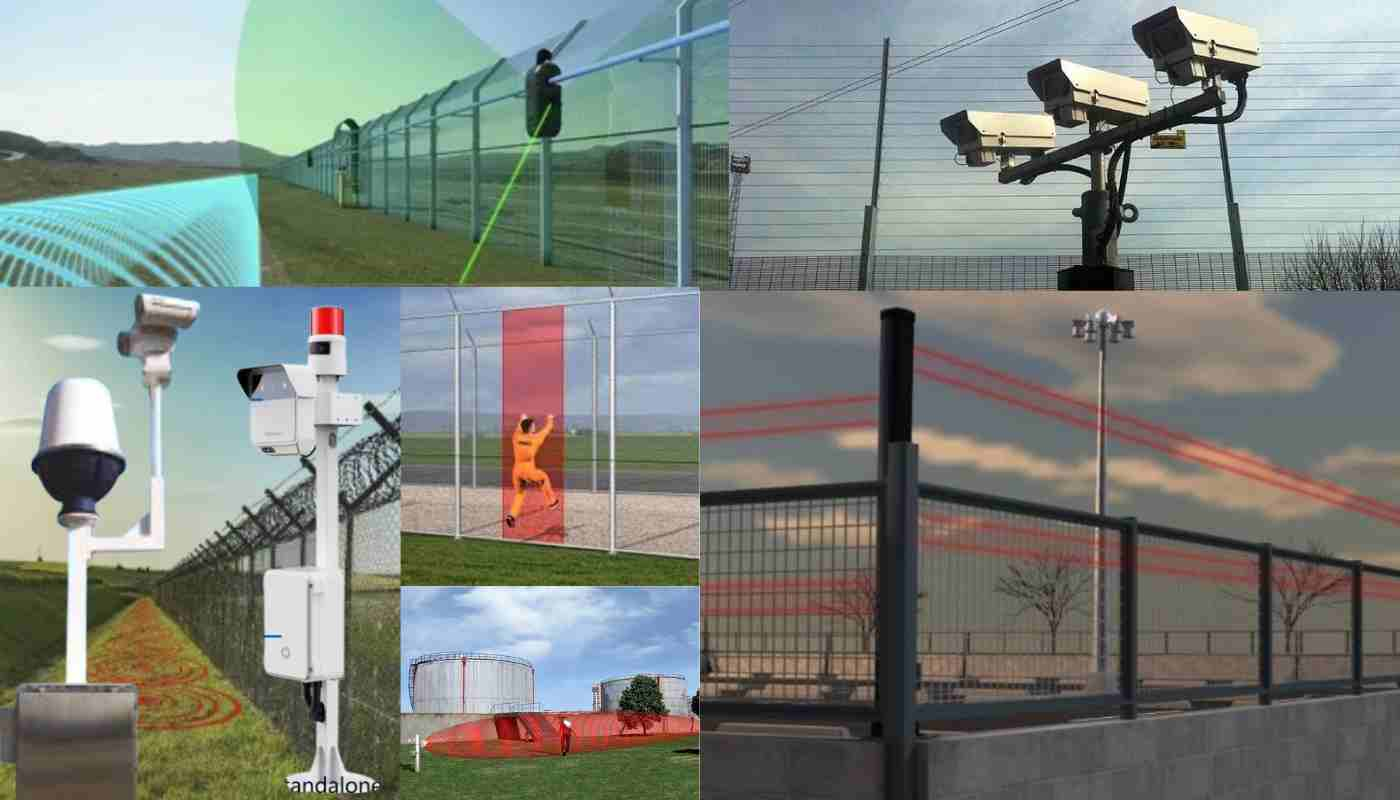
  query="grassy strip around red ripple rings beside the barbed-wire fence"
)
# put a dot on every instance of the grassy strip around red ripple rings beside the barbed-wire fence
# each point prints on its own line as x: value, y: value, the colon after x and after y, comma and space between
x: 239, y: 757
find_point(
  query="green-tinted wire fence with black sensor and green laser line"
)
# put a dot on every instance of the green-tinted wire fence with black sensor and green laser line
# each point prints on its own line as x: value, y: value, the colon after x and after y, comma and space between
x: 600, y: 200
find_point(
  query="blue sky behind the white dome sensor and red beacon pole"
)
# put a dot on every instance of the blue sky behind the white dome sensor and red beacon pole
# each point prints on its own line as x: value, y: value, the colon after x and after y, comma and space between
x: 211, y: 466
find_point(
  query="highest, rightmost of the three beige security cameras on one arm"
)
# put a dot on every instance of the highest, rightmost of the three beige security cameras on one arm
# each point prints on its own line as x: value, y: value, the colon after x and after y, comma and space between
x: 1192, y: 48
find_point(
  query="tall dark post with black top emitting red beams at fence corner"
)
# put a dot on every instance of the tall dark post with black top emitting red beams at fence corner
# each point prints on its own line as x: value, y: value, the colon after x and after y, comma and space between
x: 897, y: 554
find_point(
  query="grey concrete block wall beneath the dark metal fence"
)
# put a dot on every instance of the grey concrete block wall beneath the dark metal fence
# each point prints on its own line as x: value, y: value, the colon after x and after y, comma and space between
x: 1338, y: 749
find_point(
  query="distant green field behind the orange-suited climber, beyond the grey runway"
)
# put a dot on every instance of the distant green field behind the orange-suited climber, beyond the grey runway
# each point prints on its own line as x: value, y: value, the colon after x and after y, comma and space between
x: 636, y: 450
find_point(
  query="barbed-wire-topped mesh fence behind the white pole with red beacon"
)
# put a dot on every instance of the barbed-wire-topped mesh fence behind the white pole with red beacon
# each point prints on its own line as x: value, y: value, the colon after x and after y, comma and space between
x: 216, y: 595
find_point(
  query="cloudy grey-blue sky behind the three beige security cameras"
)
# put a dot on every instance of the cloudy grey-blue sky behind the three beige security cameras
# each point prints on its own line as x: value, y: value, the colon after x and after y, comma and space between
x: 1311, y: 155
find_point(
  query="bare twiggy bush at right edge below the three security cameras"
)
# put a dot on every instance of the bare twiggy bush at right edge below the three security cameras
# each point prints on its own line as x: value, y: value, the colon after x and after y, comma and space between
x: 1357, y: 261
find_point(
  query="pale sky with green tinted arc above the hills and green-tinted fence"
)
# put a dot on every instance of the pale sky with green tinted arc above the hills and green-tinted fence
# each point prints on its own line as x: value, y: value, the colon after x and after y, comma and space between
x: 268, y: 72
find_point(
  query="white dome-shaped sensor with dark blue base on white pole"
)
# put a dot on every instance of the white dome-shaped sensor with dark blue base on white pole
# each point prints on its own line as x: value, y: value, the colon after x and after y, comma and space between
x: 79, y: 459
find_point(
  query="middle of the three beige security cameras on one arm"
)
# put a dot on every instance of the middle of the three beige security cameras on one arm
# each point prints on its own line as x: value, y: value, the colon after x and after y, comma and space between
x: 1076, y: 95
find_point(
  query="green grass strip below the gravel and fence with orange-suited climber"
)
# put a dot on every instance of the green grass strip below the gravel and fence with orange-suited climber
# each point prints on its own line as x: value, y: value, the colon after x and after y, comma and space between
x: 442, y: 561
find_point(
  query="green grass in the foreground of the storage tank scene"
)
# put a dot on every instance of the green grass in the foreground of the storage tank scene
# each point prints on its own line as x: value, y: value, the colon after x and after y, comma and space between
x: 664, y: 771
